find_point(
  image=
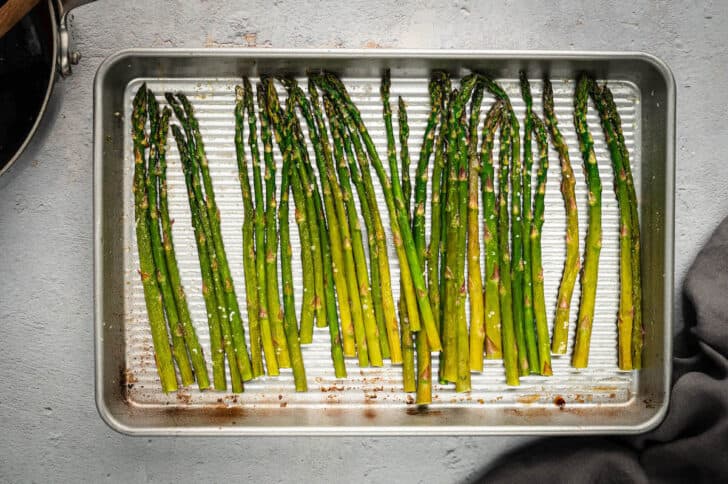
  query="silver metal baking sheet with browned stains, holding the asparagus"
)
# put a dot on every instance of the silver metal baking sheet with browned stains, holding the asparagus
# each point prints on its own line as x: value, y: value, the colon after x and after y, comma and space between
x: 598, y: 399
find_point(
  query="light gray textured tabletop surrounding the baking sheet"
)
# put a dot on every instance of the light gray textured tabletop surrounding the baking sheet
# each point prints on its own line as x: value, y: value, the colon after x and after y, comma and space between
x: 50, y: 427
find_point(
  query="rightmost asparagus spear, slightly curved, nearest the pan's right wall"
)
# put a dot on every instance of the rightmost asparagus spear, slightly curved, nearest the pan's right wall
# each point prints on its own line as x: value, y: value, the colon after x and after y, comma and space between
x: 637, y: 326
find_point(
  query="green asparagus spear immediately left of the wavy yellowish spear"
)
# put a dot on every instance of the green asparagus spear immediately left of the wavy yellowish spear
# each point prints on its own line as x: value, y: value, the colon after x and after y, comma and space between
x: 539, y: 303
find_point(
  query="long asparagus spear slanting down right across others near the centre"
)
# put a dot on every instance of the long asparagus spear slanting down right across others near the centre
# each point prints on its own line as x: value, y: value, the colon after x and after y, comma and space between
x: 399, y: 221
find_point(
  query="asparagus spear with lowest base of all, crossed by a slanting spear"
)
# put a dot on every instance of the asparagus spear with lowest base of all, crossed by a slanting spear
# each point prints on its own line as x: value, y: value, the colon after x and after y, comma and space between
x: 424, y: 359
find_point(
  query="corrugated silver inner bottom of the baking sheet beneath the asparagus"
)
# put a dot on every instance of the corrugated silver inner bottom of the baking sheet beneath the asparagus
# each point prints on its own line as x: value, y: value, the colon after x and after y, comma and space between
x: 213, y: 100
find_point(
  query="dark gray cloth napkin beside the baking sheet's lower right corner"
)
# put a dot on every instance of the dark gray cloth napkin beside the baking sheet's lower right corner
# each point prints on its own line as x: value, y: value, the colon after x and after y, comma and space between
x: 691, y: 444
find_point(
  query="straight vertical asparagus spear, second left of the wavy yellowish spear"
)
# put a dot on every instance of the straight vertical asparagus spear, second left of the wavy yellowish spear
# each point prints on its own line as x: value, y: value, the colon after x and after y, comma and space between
x: 532, y: 341
